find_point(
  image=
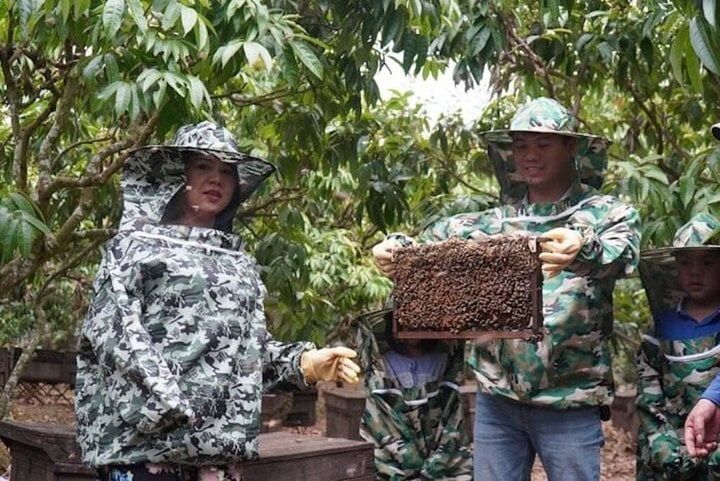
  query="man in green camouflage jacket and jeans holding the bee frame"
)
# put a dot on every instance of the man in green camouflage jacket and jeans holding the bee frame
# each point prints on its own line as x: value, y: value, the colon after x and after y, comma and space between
x: 547, y: 398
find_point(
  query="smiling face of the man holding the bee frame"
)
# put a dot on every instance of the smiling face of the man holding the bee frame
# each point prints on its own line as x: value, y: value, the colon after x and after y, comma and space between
x: 545, y: 161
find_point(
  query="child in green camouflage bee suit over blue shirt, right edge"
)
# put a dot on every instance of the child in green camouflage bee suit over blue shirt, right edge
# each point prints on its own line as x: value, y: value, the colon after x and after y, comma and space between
x: 681, y: 357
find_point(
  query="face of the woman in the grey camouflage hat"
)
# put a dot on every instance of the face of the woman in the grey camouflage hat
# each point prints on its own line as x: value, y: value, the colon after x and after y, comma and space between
x: 209, y: 189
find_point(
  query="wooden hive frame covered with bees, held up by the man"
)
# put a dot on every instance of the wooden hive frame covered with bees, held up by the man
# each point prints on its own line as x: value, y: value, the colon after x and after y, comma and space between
x: 465, y: 289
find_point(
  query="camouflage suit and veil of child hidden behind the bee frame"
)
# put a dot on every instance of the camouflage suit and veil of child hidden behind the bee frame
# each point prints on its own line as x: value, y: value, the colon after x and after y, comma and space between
x: 418, y: 433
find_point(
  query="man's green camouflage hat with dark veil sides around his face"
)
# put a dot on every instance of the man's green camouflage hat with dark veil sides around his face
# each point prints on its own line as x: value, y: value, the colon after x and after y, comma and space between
x: 544, y: 115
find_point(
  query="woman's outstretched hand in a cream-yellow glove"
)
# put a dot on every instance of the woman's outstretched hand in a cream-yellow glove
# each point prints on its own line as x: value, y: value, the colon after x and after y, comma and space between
x: 329, y: 364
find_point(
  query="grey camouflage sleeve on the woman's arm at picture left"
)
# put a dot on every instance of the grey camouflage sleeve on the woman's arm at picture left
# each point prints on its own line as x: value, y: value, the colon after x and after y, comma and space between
x: 145, y: 388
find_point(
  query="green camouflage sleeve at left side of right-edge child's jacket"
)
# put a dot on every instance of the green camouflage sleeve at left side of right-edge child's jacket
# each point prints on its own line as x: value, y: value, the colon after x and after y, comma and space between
x: 659, y: 445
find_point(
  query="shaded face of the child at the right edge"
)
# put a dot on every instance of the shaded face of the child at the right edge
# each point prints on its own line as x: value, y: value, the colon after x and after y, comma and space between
x: 699, y: 275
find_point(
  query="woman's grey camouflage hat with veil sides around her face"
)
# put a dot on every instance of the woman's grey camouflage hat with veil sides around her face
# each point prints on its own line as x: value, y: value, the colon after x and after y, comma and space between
x: 154, y: 175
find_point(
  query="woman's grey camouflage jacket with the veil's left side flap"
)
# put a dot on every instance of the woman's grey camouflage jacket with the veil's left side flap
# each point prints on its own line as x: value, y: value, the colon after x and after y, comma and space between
x: 174, y: 350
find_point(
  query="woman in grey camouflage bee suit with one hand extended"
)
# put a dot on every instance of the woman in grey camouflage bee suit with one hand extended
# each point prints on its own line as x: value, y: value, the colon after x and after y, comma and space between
x: 174, y: 351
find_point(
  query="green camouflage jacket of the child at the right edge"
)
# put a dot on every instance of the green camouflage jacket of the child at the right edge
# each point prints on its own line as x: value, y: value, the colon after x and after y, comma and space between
x: 671, y: 377
